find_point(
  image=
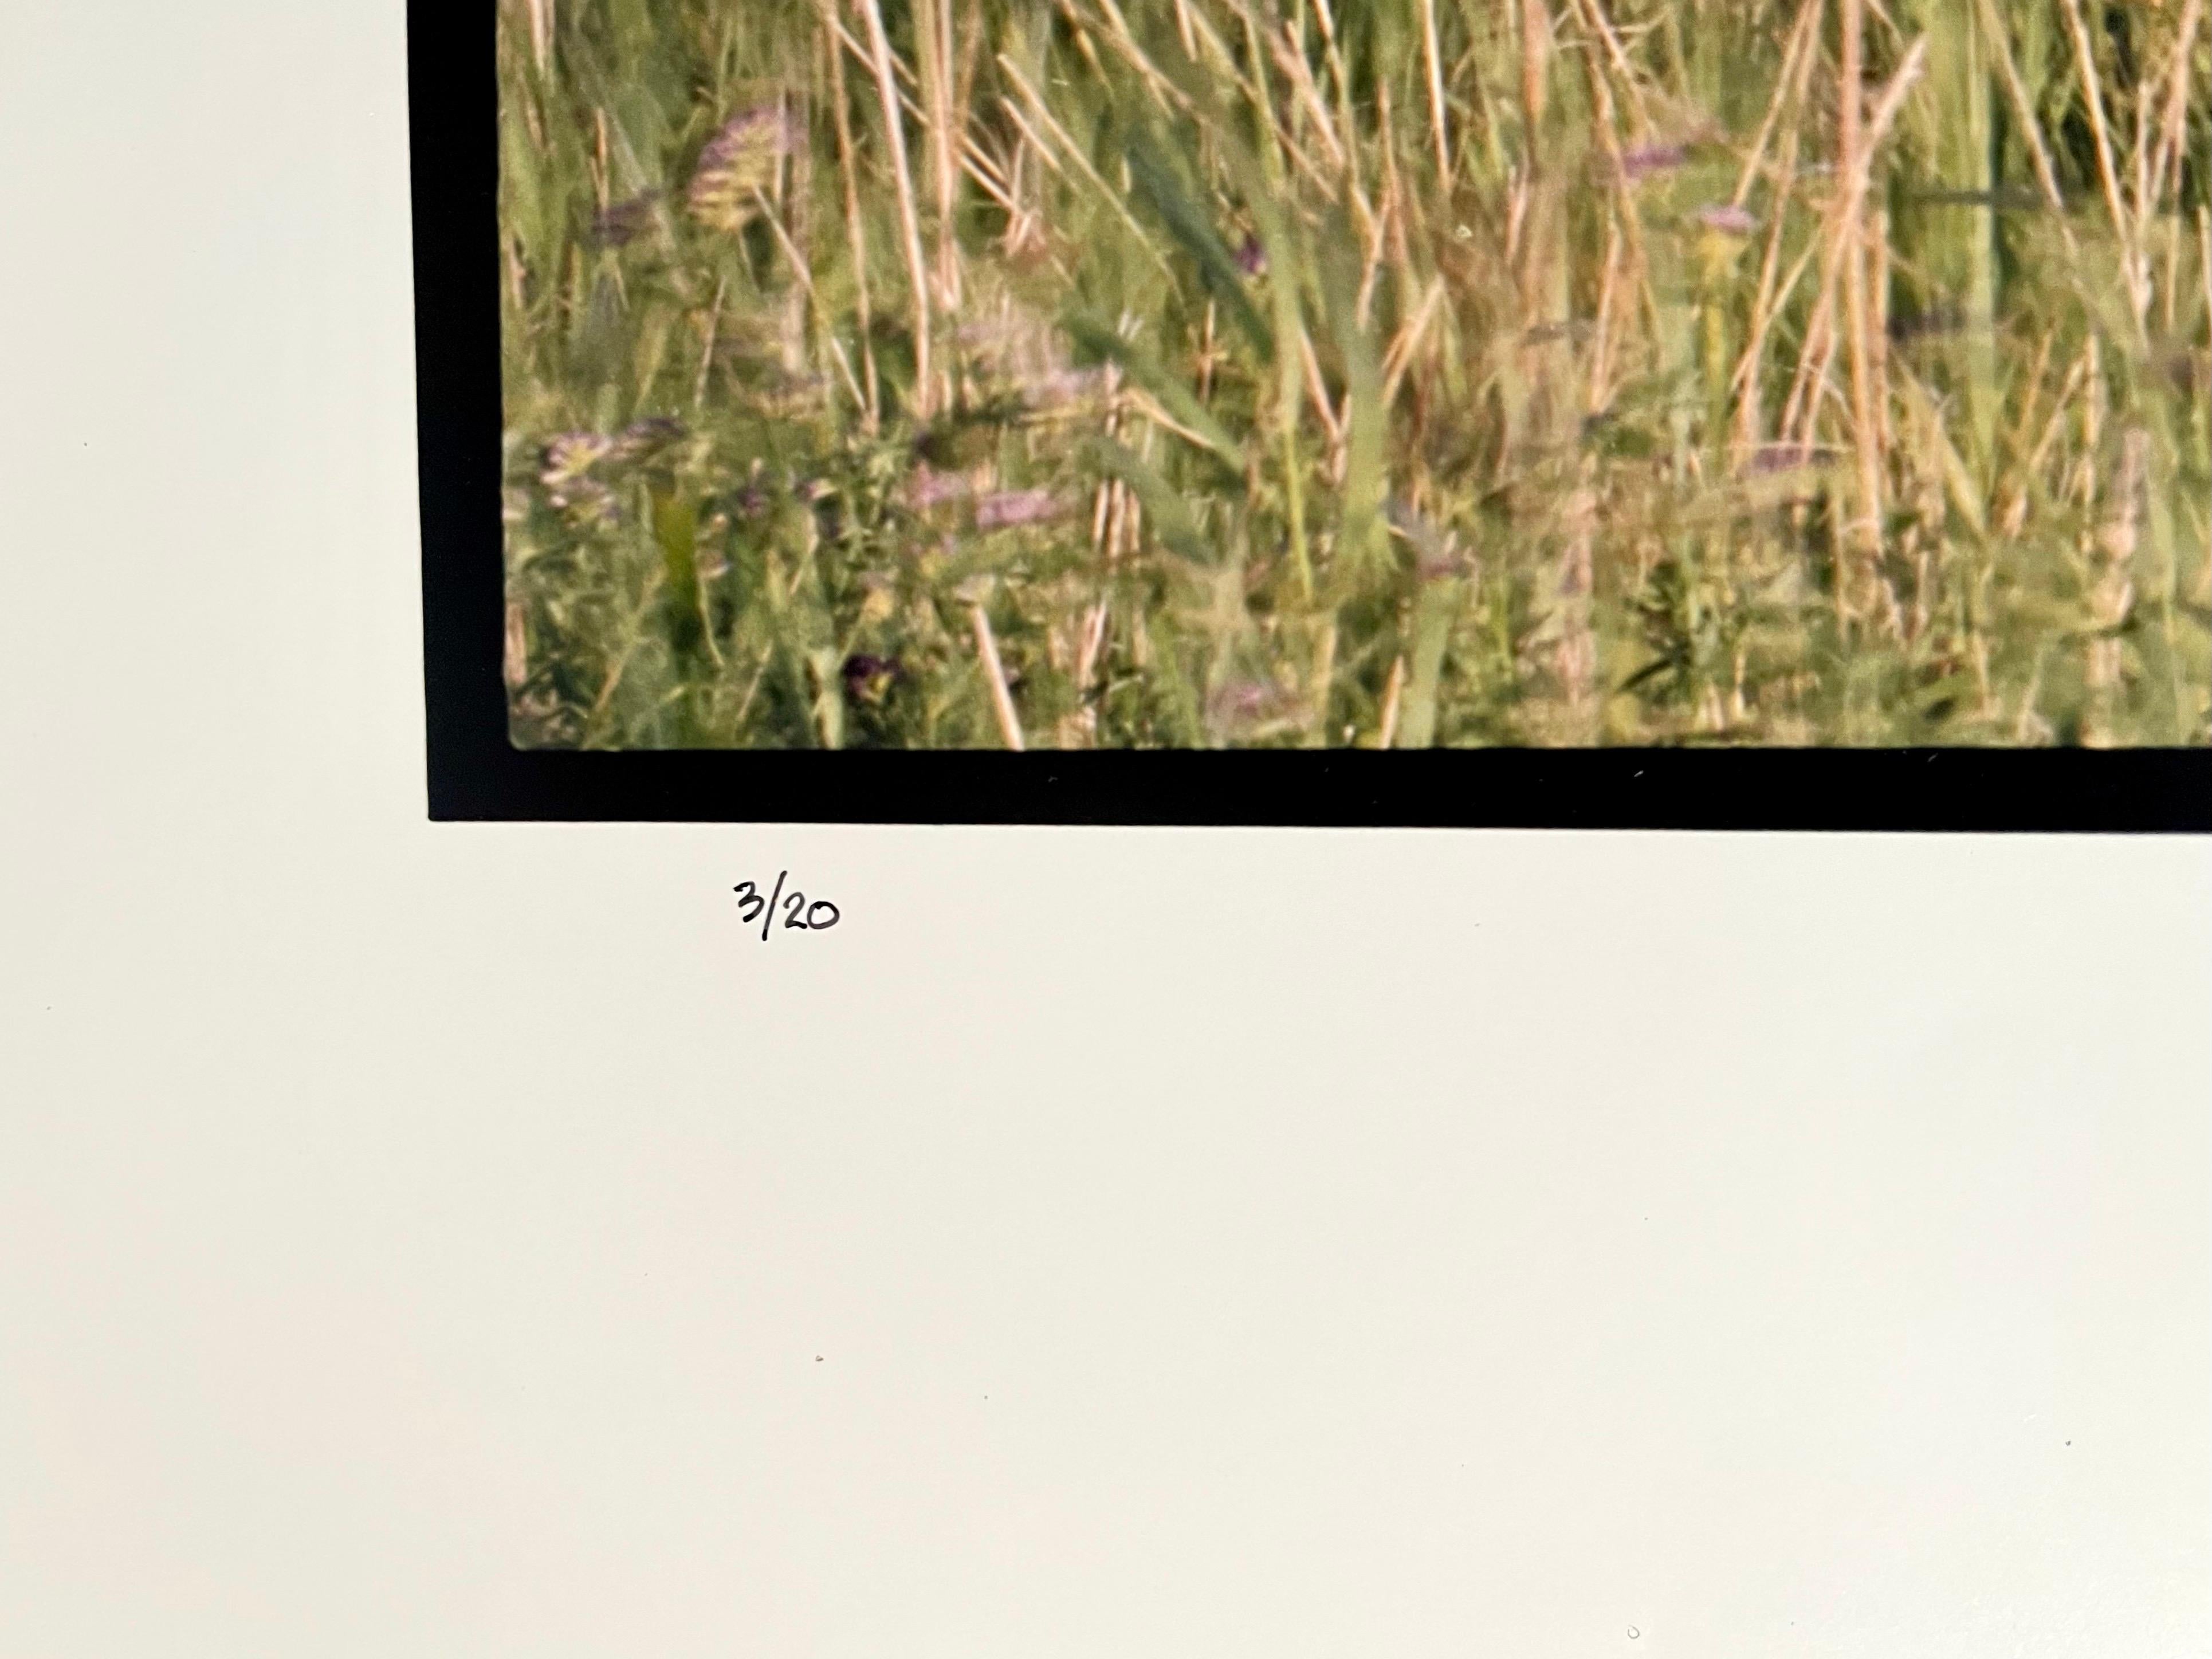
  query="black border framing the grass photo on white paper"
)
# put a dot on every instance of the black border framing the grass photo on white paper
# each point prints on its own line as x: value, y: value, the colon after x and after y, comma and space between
x: 479, y: 775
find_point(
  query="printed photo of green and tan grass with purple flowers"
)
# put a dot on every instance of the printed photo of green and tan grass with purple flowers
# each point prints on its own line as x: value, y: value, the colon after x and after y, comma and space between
x: 1357, y: 373
